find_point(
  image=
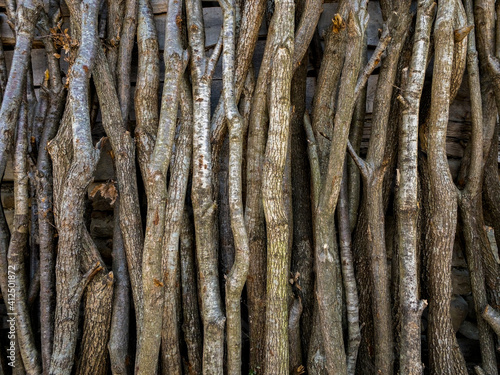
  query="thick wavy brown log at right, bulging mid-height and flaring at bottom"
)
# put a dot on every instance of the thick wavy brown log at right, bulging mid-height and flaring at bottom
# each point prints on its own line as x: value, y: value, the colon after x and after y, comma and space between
x: 445, y: 358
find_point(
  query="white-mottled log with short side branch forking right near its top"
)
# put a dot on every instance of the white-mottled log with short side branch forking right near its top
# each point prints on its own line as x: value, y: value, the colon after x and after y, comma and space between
x: 202, y: 193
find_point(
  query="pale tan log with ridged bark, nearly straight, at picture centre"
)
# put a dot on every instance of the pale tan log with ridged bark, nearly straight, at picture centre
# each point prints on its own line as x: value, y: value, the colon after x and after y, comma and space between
x: 276, y: 360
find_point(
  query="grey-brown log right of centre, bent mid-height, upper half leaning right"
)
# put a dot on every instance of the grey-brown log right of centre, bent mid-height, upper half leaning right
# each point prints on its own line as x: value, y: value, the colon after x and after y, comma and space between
x: 328, y: 279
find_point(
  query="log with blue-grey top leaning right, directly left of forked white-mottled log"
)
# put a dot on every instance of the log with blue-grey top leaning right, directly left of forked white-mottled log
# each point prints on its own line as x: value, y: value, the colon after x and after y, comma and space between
x: 156, y: 182
